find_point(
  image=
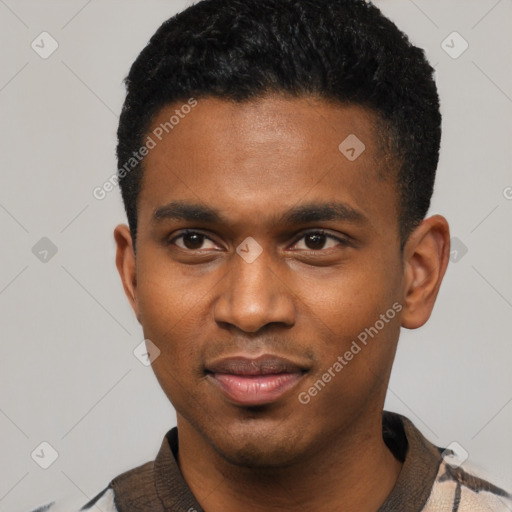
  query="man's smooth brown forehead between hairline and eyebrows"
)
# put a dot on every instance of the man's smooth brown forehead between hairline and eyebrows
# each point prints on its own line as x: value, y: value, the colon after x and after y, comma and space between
x: 265, y: 155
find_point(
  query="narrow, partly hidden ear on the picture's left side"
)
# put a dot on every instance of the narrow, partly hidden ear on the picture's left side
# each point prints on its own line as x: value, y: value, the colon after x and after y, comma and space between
x: 125, y: 263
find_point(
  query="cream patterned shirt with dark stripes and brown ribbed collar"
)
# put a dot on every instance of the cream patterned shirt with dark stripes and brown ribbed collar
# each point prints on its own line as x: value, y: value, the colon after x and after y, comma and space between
x: 428, y: 482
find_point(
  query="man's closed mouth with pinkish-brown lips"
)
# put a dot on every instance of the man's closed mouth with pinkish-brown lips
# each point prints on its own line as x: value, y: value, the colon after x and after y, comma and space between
x: 255, y: 381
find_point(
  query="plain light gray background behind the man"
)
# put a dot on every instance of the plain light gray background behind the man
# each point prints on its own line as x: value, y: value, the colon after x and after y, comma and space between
x: 67, y: 369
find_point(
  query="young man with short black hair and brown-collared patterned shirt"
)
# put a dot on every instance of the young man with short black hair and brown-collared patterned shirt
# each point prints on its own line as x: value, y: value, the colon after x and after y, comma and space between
x: 277, y: 160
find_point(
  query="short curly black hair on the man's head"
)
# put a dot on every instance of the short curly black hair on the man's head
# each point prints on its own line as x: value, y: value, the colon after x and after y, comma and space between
x: 344, y: 51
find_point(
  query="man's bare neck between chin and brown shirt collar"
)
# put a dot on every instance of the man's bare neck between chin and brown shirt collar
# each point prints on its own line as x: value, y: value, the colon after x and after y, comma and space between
x: 354, y: 470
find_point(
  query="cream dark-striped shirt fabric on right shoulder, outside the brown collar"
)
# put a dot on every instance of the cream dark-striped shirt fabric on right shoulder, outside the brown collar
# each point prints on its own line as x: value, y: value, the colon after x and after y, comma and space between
x: 457, y: 489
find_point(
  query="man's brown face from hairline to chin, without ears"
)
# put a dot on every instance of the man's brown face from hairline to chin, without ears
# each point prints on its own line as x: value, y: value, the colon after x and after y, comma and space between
x: 318, y: 262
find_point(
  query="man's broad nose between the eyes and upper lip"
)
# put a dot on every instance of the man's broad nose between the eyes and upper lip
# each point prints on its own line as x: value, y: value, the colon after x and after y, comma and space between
x: 252, y: 295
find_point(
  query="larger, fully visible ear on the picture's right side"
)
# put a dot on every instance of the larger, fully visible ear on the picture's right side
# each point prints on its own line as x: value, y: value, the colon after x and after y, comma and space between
x: 426, y: 255
